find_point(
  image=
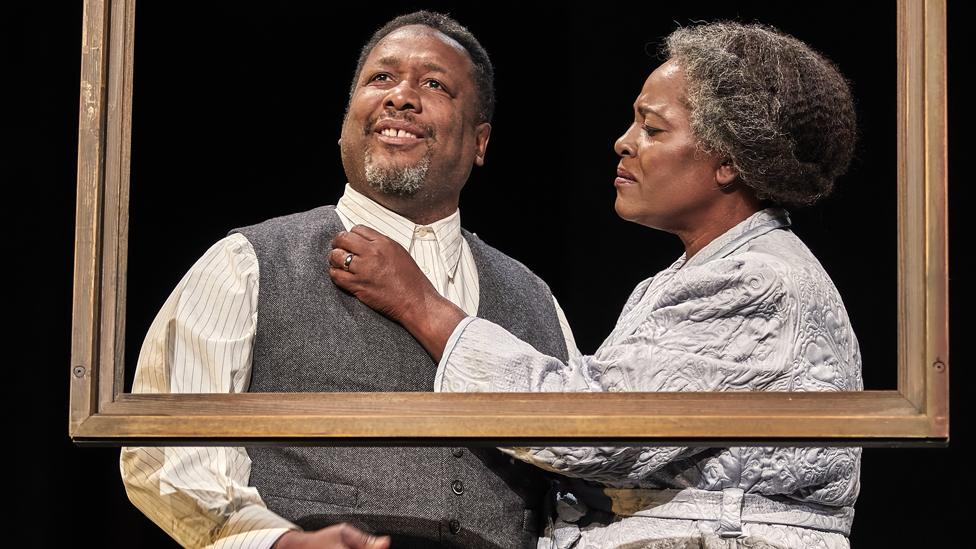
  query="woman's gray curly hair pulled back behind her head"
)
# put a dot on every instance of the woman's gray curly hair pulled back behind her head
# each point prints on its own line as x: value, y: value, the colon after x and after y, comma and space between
x: 781, y: 112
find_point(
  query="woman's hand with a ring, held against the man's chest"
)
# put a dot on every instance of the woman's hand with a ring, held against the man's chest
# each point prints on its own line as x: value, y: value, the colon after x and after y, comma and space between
x: 381, y: 274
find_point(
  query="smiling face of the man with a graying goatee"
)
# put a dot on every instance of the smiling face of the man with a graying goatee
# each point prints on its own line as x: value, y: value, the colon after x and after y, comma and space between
x: 411, y: 125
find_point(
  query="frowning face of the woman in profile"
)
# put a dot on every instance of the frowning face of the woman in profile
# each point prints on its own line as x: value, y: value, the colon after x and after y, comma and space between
x: 663, y: 180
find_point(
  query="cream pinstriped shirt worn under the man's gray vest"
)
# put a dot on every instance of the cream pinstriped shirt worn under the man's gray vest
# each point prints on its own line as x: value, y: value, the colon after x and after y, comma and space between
x: 201, y: 342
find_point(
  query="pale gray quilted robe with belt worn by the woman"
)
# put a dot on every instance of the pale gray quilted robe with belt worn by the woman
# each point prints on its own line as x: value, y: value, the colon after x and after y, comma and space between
x: 752, y: 311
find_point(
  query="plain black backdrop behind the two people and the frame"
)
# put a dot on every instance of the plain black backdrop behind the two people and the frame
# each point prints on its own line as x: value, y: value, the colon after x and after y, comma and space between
x: 237, y: 110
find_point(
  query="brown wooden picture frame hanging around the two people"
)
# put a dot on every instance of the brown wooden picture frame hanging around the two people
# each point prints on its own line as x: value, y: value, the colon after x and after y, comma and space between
x: 914, y: 414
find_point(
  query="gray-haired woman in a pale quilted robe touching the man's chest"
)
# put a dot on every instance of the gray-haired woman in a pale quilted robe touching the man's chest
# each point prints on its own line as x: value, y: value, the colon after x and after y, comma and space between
x: 738, y: 122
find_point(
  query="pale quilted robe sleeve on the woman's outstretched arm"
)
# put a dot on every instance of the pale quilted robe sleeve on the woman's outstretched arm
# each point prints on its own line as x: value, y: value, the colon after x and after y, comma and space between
x: 722, y: 326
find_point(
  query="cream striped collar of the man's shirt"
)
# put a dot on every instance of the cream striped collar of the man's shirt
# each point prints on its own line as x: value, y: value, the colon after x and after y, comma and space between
x: 361, y: 210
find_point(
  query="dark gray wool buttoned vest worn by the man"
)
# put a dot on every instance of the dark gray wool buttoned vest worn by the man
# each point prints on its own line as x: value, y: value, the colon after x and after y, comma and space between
x: 313, y: 337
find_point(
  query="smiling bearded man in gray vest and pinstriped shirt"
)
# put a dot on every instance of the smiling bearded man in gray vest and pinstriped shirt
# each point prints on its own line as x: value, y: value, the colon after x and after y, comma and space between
x: 259, y: 313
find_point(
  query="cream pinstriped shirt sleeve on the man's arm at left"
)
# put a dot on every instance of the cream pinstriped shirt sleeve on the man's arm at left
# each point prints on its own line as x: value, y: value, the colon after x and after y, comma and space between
x: 201, y: 342
